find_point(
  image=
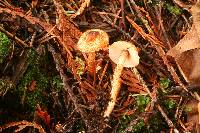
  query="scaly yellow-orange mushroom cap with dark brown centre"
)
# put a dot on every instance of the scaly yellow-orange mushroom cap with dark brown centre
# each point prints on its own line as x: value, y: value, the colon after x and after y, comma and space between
x: 93, y: 40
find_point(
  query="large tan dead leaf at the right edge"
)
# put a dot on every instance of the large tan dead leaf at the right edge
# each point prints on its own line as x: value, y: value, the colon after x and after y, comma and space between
x: 186, y: 52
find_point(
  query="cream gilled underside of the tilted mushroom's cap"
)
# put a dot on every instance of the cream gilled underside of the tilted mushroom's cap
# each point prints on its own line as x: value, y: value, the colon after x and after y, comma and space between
x: 116, y: 49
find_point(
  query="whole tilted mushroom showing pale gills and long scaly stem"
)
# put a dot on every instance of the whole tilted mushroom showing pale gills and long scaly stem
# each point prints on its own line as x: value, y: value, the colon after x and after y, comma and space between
x: 124, y: 54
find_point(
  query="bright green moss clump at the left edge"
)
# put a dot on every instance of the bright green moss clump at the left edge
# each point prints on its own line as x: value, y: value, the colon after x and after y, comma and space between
x: 4, y: 46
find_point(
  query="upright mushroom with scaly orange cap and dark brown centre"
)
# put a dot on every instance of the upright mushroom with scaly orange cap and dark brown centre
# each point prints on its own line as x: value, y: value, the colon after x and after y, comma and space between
x: 91, y: 41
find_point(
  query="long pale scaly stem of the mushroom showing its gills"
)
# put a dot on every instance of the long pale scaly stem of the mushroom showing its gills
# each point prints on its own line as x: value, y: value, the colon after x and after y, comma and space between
x: 116, y: 83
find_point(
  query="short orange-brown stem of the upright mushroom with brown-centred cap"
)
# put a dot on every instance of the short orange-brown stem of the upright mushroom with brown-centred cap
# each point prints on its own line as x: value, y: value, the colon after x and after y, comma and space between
x: 91, y: 63
